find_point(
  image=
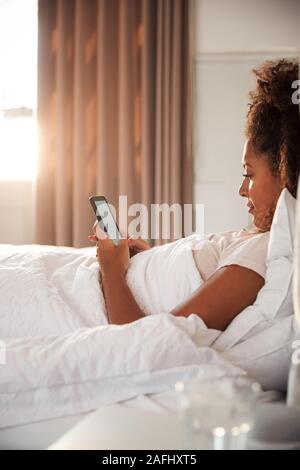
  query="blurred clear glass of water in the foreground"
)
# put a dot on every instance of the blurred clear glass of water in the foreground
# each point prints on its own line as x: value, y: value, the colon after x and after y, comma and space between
x: 218, y: 414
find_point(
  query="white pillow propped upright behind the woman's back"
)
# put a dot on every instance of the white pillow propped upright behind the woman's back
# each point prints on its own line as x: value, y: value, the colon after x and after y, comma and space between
x: 263, y: 332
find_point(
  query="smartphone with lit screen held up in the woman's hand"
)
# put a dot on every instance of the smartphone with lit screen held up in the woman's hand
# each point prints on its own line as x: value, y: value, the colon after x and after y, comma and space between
x: 105, y: 218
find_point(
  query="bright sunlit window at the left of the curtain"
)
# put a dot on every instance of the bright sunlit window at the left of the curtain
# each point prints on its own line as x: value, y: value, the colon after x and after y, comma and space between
x: 18, y: 89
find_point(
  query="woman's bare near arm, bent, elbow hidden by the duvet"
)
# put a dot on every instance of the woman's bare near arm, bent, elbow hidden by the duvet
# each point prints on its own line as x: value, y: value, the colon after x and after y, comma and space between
x: 225, y: 294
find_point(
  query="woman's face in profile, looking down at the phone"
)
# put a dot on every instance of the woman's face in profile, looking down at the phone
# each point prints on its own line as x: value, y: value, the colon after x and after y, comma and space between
x: 261, y: 187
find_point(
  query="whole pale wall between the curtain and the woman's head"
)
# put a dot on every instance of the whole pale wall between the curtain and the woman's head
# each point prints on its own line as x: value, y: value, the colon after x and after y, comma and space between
x: 231, y: 38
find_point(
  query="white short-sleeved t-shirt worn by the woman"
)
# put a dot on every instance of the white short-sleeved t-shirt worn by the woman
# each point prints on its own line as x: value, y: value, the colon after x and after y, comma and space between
x: 247, y: 247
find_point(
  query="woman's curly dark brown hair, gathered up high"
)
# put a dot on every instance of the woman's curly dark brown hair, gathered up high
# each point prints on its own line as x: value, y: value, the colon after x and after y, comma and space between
x: 273, y: 120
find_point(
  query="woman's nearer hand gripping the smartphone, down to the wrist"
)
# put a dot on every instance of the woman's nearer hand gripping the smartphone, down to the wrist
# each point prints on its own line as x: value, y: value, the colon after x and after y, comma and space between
x: 113, y: 259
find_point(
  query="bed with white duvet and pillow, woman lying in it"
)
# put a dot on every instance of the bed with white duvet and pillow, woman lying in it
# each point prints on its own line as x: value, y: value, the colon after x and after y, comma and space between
x: 63, y: 361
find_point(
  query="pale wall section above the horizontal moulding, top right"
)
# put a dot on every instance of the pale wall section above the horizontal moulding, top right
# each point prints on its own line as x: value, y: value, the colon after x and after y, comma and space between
x: 246, y: 25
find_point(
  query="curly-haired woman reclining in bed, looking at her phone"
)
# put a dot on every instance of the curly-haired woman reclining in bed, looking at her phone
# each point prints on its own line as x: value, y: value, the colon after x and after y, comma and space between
x: 271, y: 162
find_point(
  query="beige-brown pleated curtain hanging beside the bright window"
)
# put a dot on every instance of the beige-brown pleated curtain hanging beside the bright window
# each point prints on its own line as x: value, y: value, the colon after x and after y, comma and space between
x: 113, y: 109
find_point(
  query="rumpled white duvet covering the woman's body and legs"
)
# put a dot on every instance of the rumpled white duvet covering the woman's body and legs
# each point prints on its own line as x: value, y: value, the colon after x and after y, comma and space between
x: 61, y: 355
